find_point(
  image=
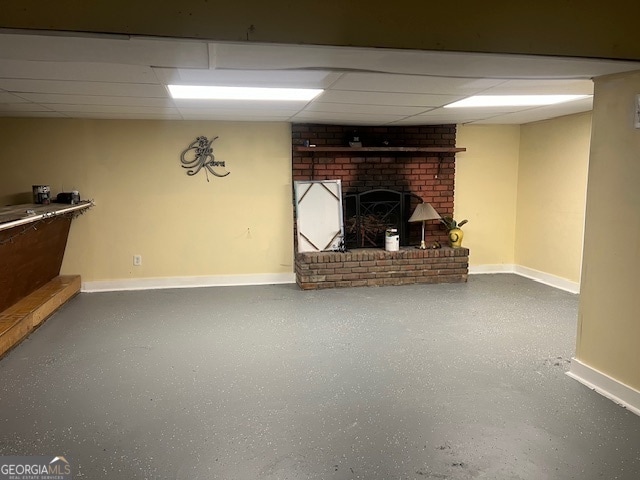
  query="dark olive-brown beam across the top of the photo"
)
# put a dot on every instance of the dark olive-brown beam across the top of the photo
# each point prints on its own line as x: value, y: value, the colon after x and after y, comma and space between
x: 591, y: 28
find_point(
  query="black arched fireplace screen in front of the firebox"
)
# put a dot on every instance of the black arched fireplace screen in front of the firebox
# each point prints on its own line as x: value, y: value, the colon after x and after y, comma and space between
x: 369, y: 214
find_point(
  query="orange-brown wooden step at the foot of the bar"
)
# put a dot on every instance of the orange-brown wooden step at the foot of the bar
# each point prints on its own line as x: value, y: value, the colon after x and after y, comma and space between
x: 20, y: 319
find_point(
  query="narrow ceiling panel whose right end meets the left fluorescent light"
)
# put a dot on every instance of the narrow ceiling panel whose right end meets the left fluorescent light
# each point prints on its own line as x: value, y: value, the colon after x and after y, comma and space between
x: 83, y: 88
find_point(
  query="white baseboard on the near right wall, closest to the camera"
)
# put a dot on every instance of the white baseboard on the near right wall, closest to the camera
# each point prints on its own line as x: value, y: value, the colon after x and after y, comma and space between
x: 605, y: 385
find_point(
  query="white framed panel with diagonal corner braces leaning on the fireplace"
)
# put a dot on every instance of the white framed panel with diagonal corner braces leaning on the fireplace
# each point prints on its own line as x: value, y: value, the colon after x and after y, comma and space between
x: 318, y: 215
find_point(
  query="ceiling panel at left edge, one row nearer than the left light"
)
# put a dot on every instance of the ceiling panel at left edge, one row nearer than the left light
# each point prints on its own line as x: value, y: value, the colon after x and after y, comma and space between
x: 77, y: 71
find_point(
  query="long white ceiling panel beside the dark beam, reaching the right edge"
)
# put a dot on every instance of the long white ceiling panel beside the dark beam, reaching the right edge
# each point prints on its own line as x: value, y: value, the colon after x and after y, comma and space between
x: 444, y: 64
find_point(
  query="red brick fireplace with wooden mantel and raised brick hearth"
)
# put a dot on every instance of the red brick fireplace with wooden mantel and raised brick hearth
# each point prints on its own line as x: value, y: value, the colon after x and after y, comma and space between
x: 417, y: 162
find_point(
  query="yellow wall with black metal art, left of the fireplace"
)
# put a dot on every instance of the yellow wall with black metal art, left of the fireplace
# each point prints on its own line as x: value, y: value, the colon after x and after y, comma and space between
x: 145, y: 202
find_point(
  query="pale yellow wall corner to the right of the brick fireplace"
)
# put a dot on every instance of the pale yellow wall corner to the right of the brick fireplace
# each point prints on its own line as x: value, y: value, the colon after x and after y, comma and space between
x: 523, y: 190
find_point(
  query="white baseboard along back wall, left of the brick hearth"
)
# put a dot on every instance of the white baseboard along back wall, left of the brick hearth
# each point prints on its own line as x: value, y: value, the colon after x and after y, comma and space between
x: 187, y: 282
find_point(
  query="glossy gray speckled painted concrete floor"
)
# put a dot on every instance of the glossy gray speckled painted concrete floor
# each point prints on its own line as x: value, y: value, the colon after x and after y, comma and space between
x: 426, y: 382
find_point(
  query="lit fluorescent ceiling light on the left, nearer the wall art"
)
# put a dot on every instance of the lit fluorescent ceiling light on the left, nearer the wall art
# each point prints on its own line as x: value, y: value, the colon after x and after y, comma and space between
x: 242, y: 93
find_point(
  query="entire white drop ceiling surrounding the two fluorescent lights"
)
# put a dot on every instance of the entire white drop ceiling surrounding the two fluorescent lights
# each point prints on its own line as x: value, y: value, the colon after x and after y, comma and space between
x: 111, y: 76
